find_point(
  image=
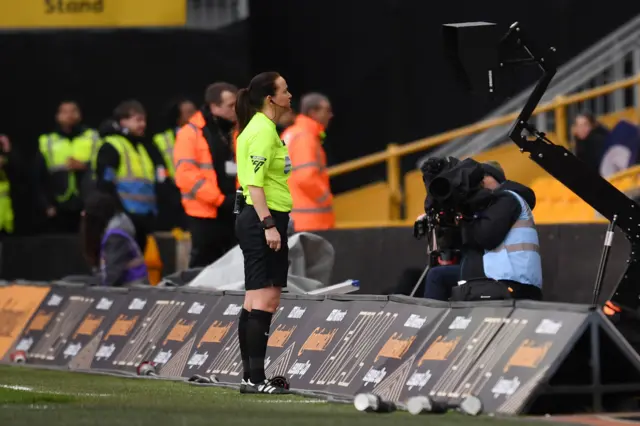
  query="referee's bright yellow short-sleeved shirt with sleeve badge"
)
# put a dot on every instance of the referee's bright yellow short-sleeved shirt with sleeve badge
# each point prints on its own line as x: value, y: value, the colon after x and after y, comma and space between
x: 263, y: 161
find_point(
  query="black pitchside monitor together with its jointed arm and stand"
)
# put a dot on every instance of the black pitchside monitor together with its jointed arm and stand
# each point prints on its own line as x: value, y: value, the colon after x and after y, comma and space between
x: 514, y: 49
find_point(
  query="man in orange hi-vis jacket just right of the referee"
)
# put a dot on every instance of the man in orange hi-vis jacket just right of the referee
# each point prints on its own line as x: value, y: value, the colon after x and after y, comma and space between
x: 309, y: 181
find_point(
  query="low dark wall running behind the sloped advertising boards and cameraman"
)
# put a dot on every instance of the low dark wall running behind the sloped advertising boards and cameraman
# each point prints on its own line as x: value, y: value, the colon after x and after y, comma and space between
x: 377, y: 257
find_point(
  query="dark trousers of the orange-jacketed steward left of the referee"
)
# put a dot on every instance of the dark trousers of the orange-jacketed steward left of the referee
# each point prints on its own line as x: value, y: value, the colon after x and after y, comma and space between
x: 210, y: 240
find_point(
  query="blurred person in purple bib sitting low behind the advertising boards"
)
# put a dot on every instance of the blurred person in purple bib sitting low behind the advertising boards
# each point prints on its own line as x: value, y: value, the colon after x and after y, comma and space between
x: 109, y: 242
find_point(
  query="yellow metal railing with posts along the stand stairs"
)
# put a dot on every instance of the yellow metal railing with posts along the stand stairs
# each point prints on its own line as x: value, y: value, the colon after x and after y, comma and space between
x: 394, y: 152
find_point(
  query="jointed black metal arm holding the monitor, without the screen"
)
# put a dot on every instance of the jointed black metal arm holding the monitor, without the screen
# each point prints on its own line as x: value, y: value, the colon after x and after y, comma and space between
x: 575, y: 175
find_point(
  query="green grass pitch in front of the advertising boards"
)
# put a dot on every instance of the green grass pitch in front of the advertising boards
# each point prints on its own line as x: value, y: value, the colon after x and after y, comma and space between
x: 54, y: 398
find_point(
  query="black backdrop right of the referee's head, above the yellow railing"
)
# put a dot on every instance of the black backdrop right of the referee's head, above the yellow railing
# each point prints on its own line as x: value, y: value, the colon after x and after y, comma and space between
x: 381, y: 62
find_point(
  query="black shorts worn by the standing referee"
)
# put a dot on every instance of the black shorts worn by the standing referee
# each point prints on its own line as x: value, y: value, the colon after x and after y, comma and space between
x: 263, y: 267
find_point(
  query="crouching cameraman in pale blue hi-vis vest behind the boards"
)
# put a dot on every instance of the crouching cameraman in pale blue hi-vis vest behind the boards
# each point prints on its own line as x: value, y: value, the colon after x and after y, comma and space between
x: 500, y: 246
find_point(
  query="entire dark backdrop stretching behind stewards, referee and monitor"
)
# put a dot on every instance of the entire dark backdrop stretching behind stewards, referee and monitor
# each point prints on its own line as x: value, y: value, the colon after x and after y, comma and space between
x: 381, y: 63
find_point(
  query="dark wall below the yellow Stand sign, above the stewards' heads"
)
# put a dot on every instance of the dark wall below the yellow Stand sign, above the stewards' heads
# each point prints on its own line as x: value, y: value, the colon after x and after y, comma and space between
x: 99, y: 69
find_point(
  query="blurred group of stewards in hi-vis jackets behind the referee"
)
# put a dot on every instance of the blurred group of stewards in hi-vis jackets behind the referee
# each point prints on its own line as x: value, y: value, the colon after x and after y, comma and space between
x: 181, y: 177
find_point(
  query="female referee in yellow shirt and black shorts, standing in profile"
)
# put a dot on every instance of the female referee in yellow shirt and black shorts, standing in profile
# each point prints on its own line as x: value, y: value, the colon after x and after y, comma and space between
x: 261, y: 227
